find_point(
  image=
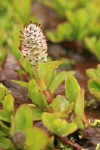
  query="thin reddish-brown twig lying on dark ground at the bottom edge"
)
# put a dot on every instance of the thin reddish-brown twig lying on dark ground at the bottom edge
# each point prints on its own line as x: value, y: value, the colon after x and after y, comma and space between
x: 72, y: 144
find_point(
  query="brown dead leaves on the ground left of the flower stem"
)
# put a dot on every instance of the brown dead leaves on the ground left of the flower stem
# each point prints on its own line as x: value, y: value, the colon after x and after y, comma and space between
x: 9, y: 71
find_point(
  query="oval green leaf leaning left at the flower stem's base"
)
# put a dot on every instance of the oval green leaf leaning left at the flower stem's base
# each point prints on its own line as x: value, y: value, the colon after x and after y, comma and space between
x: 36, y: 94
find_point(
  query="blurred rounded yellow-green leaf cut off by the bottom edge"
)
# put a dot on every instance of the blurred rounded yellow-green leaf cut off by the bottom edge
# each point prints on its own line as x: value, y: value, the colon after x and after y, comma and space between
x: 36, y: 139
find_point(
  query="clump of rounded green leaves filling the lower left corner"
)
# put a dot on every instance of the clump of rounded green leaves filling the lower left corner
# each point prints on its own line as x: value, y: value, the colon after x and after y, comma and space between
x: 20, y: 126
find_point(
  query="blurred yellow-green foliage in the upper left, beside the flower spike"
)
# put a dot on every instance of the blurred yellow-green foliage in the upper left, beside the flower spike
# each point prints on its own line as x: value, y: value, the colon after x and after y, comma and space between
x: 12, y: 15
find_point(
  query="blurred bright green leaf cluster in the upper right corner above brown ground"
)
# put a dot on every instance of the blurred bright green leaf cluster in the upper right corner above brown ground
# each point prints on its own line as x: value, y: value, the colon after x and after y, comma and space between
x: 82, y: 23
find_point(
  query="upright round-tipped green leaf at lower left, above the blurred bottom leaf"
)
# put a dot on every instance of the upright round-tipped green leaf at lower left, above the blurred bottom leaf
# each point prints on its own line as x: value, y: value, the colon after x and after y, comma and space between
x: 23, y: 118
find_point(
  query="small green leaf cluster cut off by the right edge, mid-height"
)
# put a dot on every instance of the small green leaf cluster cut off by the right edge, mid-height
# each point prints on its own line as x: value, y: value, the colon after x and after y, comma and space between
x: 94, y: 81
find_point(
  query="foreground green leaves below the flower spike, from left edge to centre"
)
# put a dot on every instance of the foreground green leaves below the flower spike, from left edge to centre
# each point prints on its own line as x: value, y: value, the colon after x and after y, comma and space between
x: 17, y: 129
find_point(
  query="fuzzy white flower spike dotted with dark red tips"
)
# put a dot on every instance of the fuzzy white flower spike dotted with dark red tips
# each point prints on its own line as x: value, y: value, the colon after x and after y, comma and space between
x: 33, y: 44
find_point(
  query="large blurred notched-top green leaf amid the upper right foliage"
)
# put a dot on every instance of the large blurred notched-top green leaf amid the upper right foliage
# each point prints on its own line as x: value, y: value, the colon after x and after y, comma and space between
x: 78, y: 21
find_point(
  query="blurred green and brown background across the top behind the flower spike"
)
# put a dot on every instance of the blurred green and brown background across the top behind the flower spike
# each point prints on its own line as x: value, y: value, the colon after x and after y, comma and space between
x: 79, y: 21
